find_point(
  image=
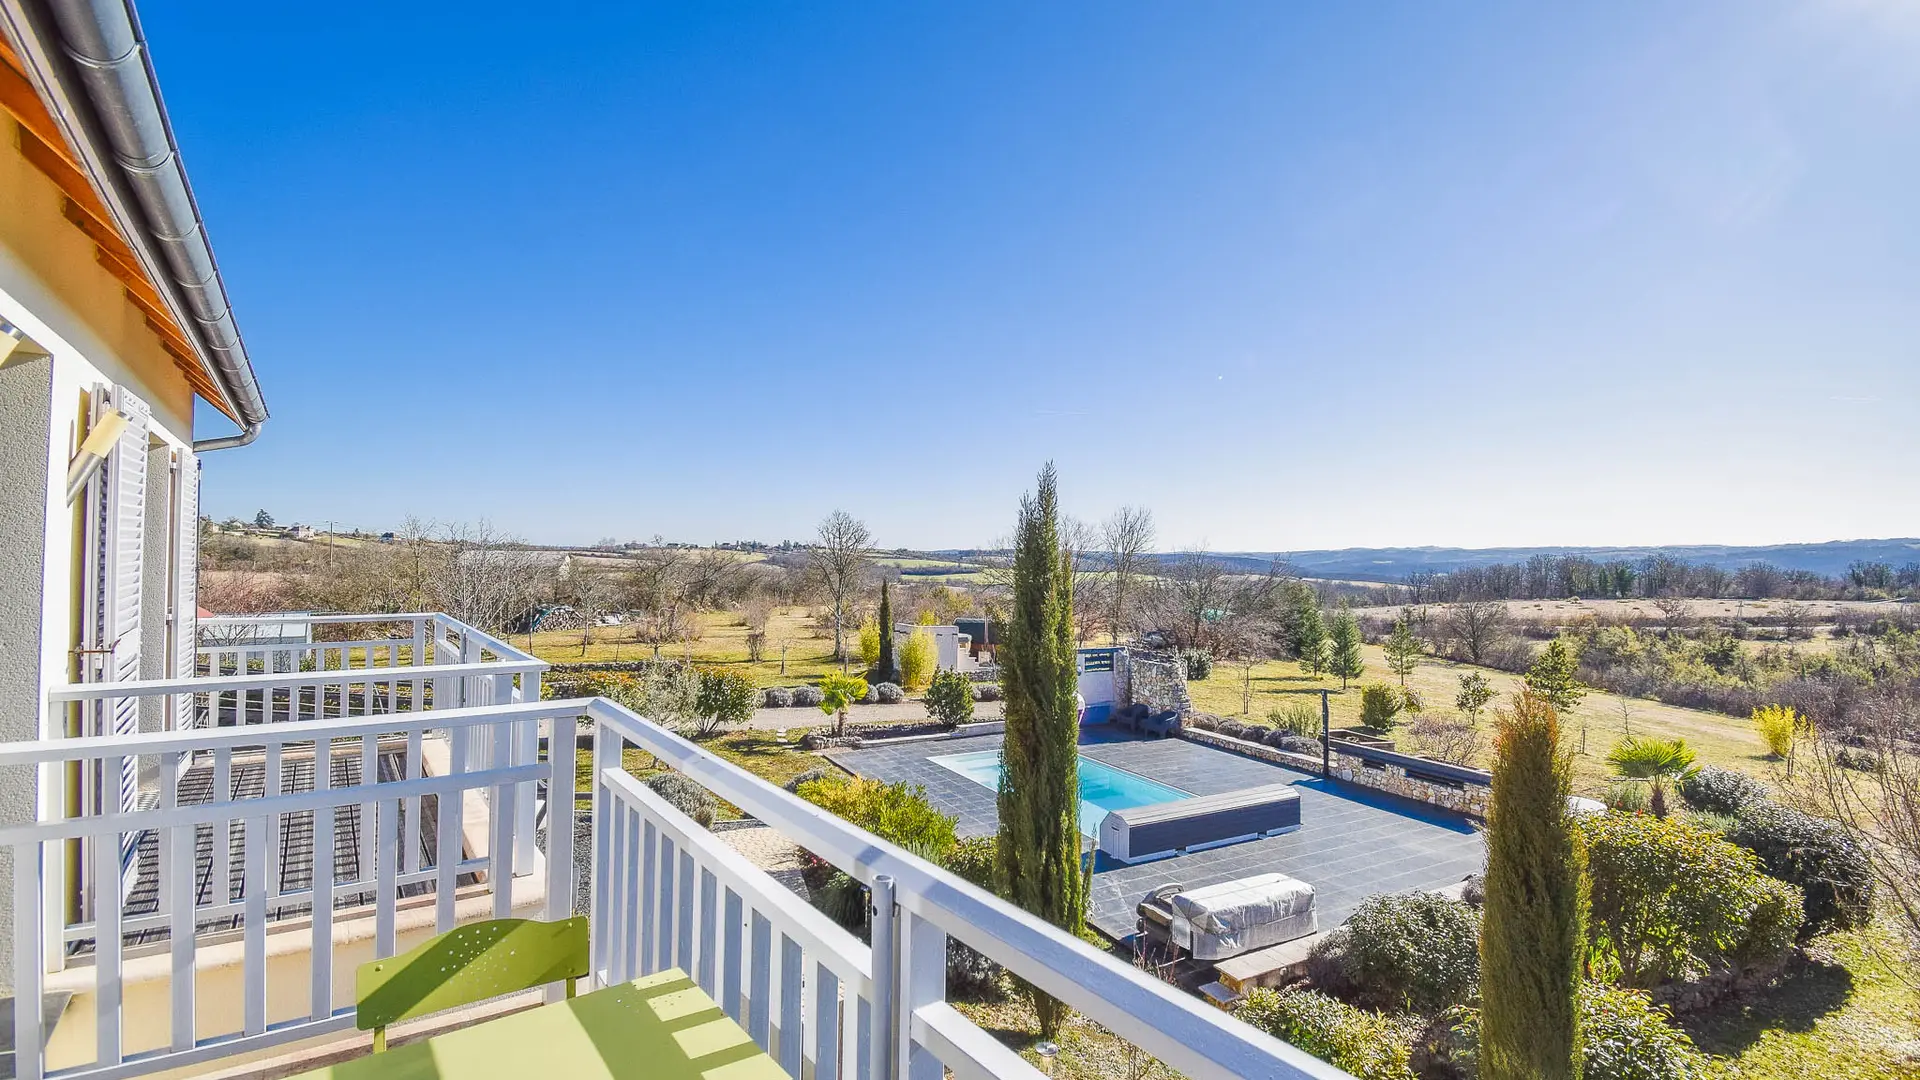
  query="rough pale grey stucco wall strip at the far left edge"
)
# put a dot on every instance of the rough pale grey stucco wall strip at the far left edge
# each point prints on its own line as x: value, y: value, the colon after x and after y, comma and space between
x: 26, y: 422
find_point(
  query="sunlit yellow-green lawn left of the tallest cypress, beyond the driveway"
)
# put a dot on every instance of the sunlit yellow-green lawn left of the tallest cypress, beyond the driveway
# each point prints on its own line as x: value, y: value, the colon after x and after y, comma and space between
x: 723, y: 643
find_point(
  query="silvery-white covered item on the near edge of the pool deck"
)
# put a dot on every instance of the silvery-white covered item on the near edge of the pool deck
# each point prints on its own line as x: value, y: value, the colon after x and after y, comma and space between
x: 1230, y: 918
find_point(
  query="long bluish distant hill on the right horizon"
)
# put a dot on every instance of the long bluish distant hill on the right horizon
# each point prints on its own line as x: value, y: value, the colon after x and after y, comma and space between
x: 1395, y: 564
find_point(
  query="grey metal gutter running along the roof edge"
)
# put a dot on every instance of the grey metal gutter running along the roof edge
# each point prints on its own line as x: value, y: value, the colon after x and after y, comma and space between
x: 110, y: 57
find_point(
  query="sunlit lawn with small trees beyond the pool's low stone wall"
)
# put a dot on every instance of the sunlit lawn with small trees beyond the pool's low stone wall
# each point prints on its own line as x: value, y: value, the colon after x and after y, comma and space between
x: 1719, y: 741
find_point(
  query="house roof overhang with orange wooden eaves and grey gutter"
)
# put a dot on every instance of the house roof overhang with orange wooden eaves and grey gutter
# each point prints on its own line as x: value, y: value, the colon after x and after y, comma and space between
x: 84, y: 91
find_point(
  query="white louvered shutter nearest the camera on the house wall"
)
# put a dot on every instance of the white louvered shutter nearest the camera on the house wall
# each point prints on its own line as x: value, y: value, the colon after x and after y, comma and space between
x: 116, y: 539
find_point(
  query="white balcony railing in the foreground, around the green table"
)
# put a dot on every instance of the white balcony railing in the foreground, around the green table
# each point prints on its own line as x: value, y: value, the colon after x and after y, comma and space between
x: 665, y: 893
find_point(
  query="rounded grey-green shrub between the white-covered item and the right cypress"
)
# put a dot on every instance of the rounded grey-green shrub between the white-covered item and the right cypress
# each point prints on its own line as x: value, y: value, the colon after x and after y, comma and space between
x: 1406, y: 952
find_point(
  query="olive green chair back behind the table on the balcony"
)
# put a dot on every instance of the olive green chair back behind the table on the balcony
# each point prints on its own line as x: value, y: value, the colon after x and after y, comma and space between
x: 466, y: 966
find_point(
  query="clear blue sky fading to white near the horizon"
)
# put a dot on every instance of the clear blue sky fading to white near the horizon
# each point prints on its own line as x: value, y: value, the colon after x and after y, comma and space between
x: 1291, y: 276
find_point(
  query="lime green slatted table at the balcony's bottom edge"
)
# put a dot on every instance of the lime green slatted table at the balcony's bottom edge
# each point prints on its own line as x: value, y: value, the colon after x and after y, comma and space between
x: 661, y: 1027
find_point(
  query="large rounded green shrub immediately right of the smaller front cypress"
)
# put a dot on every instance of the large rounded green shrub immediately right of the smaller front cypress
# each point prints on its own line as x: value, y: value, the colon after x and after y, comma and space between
x: 1671, y: 900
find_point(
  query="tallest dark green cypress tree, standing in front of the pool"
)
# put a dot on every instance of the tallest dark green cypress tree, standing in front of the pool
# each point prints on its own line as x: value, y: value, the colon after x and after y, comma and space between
x: 1038, y: 856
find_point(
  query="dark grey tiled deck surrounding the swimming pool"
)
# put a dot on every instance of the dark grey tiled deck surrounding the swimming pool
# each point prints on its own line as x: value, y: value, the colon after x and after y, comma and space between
x: 1353, y: 843
